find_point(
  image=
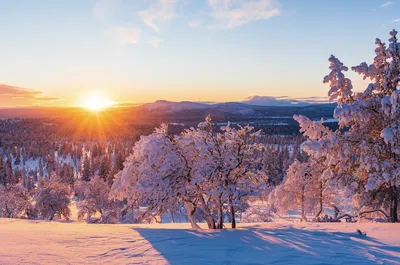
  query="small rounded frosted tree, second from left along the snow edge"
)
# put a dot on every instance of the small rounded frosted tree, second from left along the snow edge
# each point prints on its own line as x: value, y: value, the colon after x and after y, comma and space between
x: 52, y: 199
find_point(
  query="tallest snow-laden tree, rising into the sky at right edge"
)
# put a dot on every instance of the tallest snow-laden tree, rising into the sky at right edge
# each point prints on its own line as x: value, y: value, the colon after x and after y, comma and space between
x: 362, y: 158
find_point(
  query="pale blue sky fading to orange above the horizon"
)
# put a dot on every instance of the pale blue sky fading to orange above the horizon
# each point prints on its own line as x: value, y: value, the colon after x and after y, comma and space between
x: 58, y: 53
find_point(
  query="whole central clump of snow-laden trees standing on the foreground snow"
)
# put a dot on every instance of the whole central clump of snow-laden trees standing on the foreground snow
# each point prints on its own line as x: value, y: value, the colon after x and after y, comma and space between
x: 207, y: 173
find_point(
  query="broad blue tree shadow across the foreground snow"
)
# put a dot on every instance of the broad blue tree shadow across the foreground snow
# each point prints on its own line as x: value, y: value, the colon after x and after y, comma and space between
x: 268, y: 246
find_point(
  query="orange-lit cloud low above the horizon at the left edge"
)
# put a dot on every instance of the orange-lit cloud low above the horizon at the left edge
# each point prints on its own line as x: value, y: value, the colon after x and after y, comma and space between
x: 11, y: 96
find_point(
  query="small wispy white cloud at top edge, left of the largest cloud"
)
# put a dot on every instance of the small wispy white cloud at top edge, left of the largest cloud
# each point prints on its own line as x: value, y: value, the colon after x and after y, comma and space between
x: 158, y: 11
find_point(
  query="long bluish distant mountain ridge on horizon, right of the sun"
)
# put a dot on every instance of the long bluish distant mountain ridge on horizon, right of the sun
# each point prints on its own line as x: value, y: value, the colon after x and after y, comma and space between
x: 186, y: 110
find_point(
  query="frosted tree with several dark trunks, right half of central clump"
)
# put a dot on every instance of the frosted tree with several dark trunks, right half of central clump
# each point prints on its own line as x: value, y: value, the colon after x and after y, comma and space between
x: 226, y: 166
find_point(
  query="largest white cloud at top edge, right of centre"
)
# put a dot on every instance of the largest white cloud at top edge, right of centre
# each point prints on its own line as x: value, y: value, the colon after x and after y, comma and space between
x: 234, y: 13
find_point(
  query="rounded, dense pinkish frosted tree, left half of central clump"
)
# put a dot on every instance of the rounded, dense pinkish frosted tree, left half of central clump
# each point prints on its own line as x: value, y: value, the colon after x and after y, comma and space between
x: 153, y: 175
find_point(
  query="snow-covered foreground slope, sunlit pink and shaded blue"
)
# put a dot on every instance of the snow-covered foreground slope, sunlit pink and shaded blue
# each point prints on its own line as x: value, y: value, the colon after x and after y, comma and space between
x: 40, y: 242
